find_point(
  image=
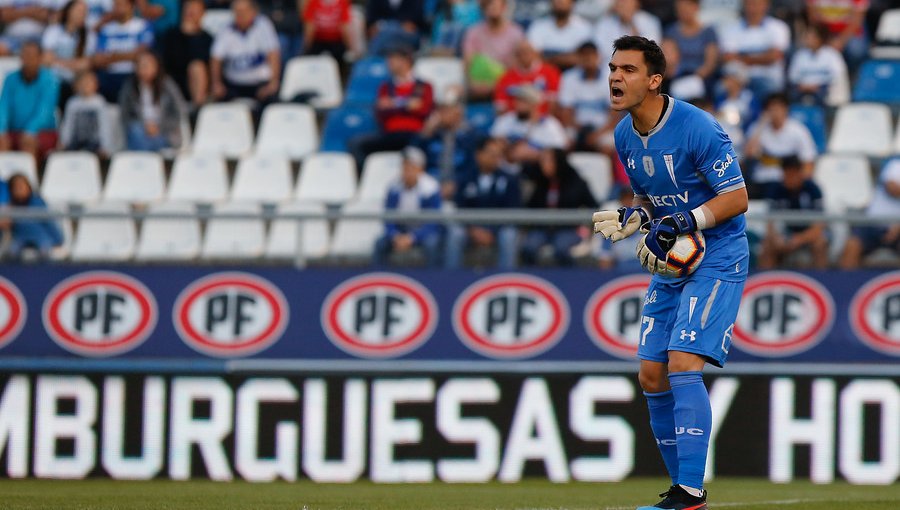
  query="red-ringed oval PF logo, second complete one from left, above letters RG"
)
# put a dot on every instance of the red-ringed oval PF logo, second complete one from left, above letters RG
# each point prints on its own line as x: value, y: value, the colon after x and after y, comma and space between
x: 230, y: 314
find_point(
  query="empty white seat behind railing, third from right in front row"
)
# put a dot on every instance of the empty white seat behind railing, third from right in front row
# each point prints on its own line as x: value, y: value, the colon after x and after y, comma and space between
x: 234, y: 238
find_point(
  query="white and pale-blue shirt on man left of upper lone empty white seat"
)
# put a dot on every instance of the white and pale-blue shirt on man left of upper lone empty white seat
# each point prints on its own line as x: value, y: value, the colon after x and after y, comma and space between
x: 244, y: 54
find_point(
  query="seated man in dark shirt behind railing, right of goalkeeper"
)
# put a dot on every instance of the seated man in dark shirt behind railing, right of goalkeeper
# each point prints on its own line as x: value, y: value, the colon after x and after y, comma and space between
x: 796, y: 192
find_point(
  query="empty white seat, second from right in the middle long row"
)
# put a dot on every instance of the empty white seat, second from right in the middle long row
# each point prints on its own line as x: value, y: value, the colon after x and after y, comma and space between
x: 328, y: 177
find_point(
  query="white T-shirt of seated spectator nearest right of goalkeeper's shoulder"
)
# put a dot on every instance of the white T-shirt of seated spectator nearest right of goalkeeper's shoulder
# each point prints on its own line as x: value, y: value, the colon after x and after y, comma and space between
x: 792, y: 139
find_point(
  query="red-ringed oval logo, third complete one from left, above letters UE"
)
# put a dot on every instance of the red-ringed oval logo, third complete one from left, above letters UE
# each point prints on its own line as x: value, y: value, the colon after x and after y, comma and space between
x: 379, y: 315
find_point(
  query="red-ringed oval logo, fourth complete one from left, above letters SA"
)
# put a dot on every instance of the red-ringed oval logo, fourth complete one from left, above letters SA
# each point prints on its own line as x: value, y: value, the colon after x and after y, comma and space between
x: 510, y: 316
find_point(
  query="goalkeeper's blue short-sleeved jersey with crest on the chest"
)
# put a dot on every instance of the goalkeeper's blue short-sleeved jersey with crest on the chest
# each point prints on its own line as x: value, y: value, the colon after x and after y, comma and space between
x: 683, y: 162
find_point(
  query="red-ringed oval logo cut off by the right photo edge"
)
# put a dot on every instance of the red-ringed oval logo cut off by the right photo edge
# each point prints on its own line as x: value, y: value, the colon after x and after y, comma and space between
x: 875, y: 314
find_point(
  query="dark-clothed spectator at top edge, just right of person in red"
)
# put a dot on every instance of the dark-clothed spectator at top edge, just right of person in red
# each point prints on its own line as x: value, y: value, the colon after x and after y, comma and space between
x: 394, y: 22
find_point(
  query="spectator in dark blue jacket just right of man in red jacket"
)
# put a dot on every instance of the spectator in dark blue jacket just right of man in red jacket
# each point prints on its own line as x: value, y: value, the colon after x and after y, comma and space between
x: 448, y: 142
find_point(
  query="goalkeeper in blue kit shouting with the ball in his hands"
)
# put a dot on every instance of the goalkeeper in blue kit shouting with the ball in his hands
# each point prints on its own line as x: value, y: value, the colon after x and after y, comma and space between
x: 685, y: 178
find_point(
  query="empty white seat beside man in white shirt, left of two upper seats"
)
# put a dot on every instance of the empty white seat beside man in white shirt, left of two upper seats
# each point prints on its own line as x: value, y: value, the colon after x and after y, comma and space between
x: 319, y: 74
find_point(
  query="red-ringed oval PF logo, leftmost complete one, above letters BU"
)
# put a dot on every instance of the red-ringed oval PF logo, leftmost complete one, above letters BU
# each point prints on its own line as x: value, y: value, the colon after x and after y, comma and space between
x: 99, y: 313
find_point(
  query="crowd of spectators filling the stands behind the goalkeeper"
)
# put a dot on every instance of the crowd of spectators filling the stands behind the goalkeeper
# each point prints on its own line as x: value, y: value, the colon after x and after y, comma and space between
x: 539, y: 63
